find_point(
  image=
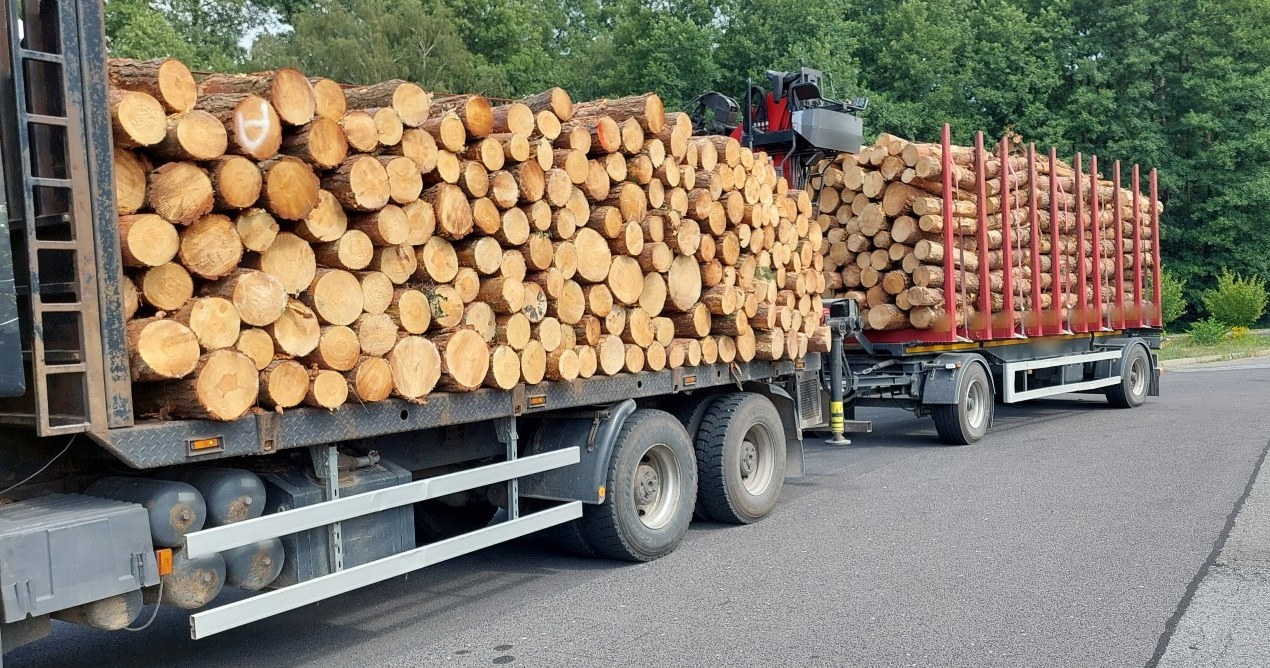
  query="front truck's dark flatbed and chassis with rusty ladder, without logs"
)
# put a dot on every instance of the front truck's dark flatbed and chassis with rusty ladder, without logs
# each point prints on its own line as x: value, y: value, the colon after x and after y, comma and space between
x: 617, y: 465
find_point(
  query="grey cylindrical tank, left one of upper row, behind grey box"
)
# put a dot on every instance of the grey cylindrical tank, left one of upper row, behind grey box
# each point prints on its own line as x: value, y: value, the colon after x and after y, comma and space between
x: 176, y: 509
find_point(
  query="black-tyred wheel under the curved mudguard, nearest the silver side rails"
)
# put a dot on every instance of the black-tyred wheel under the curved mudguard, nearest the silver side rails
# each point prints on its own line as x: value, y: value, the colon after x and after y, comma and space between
x: 653, y: 458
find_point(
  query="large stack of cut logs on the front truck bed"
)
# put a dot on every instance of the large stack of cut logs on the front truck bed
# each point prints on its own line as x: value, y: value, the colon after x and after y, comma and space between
x: 293, y: 242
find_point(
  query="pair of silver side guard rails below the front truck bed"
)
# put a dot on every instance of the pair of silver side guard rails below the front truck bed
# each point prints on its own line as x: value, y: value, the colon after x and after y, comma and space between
x: 258, y: 608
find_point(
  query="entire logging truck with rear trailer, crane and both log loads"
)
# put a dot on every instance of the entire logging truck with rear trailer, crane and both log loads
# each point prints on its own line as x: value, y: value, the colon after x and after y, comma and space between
x: 272, y: 333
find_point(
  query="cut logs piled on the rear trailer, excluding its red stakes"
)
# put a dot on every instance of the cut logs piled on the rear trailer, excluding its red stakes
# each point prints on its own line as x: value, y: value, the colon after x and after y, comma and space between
x: 885, y: 244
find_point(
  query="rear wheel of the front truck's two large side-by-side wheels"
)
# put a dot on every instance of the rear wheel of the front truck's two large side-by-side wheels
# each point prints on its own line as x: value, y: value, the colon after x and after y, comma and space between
x: 741, y: 459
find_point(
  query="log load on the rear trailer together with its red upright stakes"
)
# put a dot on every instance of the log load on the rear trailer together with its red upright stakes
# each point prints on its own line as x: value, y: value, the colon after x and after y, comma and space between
x: 935, y: 238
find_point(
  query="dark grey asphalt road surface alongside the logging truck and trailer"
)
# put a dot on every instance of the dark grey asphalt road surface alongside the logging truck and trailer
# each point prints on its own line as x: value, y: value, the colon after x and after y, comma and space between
x: 1074, y: 535
